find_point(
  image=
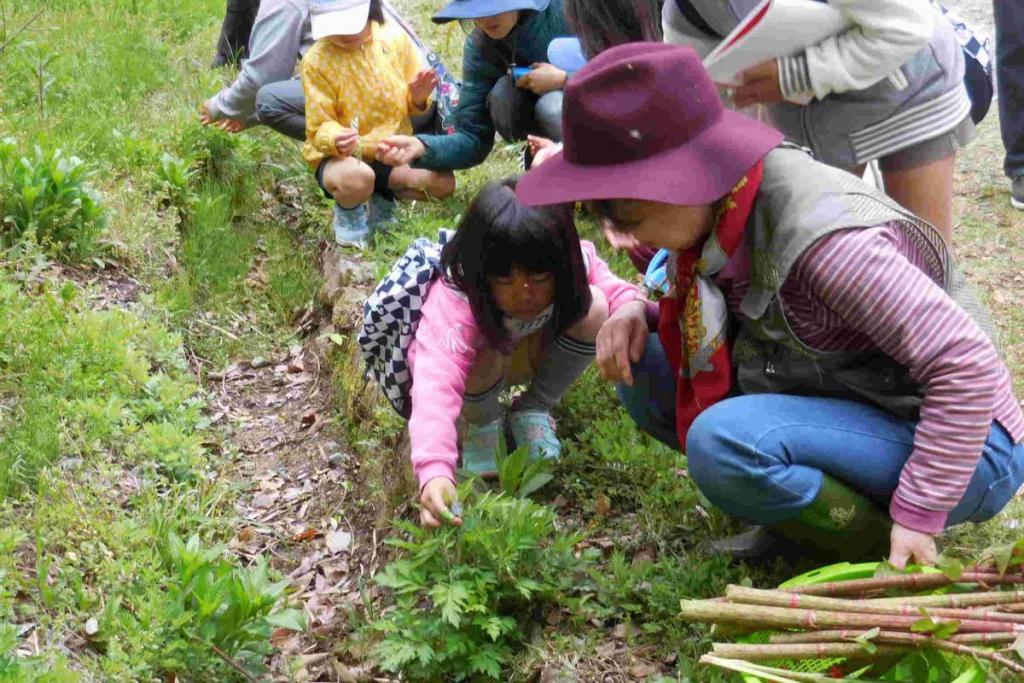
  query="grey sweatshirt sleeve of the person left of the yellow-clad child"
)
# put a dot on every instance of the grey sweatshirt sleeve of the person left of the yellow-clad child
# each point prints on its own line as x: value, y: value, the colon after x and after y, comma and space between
x: 274, y: 51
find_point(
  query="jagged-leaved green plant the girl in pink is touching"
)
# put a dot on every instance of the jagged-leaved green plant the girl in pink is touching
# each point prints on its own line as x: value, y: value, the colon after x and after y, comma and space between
x: 464, y: 596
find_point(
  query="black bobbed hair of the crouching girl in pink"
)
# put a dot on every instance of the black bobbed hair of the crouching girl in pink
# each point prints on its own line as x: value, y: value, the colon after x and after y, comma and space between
x: 498, y: 234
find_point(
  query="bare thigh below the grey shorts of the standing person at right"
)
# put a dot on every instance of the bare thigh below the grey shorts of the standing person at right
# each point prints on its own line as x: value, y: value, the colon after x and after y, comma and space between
x: 927, y: 192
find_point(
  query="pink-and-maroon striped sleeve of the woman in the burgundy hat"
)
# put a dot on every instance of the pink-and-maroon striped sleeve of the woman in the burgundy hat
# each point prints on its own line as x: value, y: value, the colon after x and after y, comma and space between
x: 865, y: 278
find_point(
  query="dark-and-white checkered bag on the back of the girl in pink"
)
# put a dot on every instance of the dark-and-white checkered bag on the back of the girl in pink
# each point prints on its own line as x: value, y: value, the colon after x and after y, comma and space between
x: 392, y: 315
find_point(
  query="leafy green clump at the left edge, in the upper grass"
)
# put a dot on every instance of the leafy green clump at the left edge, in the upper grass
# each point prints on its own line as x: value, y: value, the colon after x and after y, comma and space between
x: 48, y: 196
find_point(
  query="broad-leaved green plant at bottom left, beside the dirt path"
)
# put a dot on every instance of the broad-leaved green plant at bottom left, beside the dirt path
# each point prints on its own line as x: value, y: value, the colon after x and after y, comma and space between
x: 230, y: 610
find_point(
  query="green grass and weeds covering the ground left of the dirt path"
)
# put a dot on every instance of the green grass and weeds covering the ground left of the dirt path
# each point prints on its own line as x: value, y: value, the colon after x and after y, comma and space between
x: 107, y: 456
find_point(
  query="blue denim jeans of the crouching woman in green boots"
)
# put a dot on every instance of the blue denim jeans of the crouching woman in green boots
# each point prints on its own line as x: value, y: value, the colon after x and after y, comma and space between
x: 761, y: 457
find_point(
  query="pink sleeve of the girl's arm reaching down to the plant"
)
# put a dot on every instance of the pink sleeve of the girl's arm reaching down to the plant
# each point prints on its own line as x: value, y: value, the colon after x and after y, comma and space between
x: 445, y: 349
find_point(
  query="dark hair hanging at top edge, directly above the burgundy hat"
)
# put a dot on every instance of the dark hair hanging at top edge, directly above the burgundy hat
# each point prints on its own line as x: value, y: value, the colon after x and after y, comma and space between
x: 604, y: 24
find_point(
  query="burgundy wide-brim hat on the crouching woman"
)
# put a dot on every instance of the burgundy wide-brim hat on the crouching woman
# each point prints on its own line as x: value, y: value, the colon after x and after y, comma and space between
x: 644, y: 121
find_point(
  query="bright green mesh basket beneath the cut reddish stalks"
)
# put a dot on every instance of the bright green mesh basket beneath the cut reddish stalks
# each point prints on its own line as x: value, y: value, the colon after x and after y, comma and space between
x: 967, y: 669
